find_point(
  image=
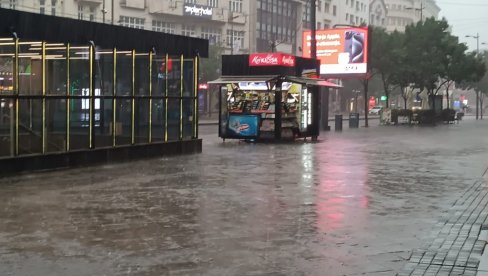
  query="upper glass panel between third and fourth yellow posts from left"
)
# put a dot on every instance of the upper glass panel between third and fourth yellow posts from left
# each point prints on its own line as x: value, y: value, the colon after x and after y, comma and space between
x: 79, y: 71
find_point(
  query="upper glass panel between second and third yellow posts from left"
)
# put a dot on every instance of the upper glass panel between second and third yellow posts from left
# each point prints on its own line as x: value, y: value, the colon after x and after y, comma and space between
x: 55, y: 70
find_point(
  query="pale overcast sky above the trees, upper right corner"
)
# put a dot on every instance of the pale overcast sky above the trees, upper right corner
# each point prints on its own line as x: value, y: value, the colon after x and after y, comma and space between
x: 467, y: 17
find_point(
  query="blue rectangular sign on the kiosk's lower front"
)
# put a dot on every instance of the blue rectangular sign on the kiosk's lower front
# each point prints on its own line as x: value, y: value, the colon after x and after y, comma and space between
x: 245, y: 126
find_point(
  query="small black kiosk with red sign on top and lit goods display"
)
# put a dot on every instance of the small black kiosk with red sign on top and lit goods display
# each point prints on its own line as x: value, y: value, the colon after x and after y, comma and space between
x: 269, y: 96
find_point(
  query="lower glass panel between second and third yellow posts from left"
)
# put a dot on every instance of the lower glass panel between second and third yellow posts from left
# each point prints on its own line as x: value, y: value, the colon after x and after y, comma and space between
x: 55, y: 125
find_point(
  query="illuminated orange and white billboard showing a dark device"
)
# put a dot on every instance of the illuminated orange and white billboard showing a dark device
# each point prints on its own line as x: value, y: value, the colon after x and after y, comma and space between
x: 342, y: 51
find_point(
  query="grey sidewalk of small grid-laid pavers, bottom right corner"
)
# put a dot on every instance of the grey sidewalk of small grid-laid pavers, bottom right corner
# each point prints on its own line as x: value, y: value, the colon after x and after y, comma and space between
x: 458, y: 239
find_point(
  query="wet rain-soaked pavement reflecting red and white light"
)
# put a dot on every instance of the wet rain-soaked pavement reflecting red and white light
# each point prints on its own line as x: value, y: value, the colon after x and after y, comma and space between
x: 367, y: 201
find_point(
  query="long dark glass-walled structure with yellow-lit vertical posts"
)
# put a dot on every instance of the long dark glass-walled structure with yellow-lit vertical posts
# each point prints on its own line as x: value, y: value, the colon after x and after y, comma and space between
x: 75, y: 92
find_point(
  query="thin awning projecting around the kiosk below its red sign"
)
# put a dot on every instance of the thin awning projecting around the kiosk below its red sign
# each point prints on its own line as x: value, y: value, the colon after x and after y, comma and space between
x: 307, y: 81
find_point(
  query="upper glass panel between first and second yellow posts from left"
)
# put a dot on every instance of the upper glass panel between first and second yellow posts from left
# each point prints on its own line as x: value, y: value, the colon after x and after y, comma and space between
x: 30, y: 69
